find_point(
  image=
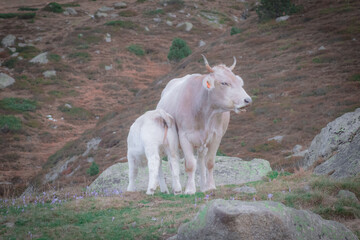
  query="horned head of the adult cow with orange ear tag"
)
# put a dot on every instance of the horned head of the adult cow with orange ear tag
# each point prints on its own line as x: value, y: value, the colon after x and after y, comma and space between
x: 226, y: 88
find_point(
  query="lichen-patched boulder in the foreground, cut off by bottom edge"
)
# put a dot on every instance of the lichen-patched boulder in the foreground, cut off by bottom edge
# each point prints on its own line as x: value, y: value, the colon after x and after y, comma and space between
x: 230, y: 219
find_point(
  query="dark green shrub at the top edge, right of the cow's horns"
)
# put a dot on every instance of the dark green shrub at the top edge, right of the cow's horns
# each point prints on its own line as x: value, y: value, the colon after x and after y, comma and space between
x: 269, y: 9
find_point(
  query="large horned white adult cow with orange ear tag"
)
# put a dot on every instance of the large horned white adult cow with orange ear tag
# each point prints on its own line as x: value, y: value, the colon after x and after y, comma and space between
x: 201, y: 105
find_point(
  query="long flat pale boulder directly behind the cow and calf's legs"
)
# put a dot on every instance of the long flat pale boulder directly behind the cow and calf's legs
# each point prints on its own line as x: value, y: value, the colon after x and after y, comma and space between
x: 228, y: 170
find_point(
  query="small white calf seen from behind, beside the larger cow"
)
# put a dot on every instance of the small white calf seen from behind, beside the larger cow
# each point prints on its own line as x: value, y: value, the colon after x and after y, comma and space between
x: 151, y: 135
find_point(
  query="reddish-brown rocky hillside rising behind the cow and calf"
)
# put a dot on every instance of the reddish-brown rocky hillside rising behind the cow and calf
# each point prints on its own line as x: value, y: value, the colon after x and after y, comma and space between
x: 301, y: 73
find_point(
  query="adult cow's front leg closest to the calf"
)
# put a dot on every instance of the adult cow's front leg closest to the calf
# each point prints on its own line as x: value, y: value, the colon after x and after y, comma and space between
x: 190, y: 165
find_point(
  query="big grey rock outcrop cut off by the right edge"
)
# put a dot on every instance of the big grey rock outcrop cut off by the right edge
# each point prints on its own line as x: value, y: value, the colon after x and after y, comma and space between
x: 338, y: 146
